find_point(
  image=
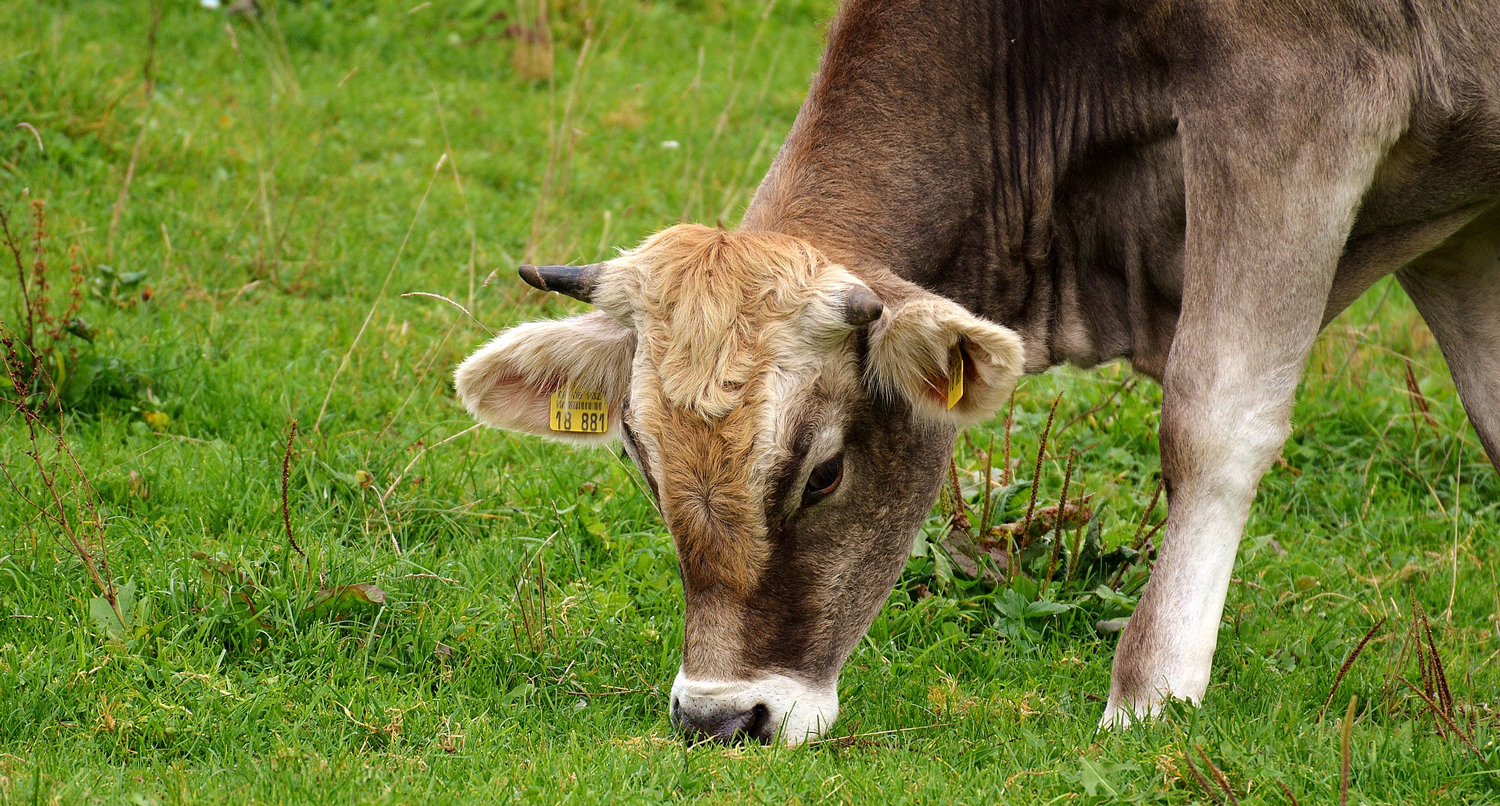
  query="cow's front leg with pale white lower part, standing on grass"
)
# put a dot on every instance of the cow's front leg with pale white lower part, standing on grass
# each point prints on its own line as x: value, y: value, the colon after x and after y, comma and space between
x: 1267, y: 223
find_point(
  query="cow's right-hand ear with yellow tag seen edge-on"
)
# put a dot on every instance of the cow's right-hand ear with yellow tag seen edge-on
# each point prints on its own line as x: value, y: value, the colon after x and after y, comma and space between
x: 926, y: 346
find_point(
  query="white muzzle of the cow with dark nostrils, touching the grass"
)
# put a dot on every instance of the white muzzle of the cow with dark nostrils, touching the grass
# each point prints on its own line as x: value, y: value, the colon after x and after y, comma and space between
x: 770, y: 709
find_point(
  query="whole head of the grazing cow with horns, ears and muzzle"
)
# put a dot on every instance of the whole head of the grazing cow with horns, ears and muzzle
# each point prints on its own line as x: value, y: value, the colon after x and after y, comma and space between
x: 793, y: 418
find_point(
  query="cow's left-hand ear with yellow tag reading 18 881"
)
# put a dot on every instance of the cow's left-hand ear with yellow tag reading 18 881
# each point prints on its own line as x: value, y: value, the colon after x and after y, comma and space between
x: 566, y: 379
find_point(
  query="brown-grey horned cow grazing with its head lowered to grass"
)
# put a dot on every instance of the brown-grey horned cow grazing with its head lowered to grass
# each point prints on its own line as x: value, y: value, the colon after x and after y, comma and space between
x: 979, y: 190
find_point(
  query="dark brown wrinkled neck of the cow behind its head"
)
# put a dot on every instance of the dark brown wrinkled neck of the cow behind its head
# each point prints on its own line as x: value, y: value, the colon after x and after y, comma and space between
x: 1015, y: 157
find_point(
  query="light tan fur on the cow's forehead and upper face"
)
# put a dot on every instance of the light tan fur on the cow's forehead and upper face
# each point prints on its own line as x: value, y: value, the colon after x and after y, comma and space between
x: 733, y: 329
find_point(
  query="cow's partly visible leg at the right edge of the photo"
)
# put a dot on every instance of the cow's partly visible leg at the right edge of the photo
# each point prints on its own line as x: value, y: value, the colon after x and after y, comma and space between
x: 1457, y: 289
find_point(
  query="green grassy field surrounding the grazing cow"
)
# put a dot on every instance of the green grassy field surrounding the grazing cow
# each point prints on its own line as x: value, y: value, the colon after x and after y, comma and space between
x: 248, y: 202
